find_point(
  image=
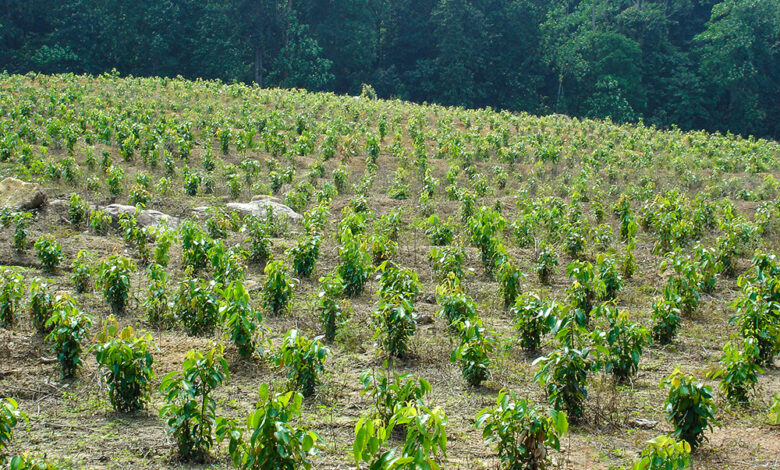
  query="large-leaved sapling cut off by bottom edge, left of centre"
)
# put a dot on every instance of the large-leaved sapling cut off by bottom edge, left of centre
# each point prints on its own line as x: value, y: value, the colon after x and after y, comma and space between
x: 273, y: 441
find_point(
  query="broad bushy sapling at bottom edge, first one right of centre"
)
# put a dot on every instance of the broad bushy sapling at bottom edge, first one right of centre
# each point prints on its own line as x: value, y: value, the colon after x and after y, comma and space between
x: 520, y: 433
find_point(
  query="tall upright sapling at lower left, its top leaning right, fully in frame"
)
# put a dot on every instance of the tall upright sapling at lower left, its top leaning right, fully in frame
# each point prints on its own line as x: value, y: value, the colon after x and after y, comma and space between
x: 190, y: 409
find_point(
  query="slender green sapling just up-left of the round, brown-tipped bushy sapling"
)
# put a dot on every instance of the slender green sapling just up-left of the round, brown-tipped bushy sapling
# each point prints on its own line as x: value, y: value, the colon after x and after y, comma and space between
x: 69, y: 328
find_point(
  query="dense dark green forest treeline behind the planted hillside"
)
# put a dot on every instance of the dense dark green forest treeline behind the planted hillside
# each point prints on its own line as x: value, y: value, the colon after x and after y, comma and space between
x: 692, y: 63
